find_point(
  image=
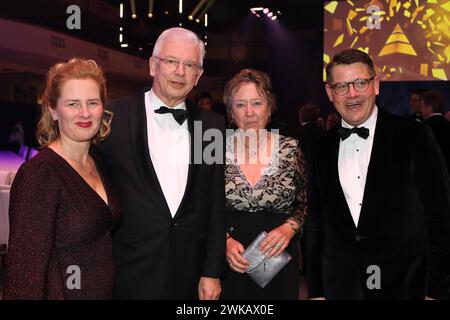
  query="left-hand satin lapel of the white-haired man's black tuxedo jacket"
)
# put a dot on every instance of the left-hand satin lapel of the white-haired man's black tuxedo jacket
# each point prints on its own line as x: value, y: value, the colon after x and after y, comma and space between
x: 141, y: 153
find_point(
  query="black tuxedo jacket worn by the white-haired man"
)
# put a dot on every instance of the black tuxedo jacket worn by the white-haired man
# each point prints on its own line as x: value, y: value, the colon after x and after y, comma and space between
x: 157, y: 256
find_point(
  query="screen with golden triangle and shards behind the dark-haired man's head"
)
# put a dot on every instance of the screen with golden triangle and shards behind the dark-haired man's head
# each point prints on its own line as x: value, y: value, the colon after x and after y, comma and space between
x: 407, y: 40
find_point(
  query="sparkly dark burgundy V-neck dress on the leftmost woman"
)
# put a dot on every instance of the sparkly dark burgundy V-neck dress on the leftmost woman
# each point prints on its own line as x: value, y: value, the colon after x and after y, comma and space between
x: 60, y: 236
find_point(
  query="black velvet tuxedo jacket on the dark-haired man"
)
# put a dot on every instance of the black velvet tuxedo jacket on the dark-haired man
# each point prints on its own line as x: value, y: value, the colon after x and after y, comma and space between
x: 403, y: 227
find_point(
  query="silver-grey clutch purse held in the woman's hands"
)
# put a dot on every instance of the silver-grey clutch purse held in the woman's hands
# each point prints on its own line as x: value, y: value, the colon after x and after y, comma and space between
x: 262, y: 269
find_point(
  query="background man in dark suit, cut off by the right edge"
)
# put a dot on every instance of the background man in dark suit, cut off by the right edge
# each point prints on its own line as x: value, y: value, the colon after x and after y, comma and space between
x: 432, y: 108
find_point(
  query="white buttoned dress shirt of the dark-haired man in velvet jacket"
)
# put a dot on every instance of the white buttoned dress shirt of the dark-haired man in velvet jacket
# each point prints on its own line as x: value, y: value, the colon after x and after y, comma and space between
x: 353, y: 162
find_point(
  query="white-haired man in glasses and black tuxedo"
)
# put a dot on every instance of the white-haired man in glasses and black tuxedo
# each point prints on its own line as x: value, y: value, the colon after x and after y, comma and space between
x: 171, y: 244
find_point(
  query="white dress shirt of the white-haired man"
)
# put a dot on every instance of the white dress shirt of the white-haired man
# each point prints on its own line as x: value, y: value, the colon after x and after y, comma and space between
x: 169, y: 146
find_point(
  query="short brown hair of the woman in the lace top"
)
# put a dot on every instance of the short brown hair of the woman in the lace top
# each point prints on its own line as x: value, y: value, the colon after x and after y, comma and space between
x: 262, y: 83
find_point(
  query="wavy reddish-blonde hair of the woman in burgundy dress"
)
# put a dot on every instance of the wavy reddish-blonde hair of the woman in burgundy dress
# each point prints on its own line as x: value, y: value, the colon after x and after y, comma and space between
x: 60, y: 73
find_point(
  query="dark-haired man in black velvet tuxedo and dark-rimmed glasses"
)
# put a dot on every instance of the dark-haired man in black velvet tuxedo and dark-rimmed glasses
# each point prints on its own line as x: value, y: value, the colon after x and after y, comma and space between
x: 379, y: 201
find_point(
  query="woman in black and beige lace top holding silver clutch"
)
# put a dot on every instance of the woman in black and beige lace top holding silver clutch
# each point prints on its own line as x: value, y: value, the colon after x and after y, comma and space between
x: 265, y: 184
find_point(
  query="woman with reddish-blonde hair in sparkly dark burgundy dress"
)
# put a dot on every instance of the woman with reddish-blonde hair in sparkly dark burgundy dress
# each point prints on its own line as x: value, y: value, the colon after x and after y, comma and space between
x: 63, y: 209
